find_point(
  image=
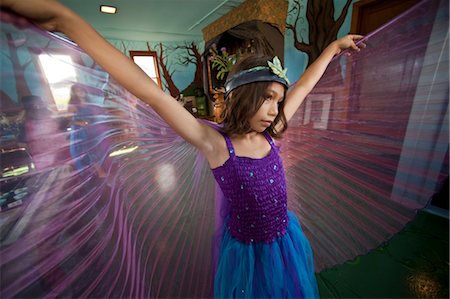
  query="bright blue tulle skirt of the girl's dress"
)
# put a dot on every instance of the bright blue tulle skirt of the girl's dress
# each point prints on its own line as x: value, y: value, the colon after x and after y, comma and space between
x: 281, y: 269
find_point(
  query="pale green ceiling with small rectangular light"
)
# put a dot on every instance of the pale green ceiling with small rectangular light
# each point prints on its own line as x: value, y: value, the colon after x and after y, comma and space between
x: 153, y: 20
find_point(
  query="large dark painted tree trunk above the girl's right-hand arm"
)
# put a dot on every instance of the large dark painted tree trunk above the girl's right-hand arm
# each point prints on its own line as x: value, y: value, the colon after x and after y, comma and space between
x: 323, y: 28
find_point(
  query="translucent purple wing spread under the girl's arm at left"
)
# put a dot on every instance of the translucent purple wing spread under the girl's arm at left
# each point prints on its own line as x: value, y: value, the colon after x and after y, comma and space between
x: 109, y: 201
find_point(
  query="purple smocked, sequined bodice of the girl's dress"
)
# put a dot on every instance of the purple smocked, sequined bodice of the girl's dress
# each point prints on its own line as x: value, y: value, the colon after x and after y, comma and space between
x: 256, y: 189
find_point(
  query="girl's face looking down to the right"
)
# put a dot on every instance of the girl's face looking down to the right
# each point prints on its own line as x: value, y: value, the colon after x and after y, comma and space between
x: 266, y: 114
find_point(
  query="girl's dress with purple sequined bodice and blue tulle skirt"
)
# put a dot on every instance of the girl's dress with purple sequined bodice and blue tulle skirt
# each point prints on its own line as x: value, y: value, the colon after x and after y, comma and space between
x: 264, y: 253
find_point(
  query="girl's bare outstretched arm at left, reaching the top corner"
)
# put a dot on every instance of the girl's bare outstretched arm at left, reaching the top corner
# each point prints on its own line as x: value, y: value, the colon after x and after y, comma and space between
x: 53, y: 16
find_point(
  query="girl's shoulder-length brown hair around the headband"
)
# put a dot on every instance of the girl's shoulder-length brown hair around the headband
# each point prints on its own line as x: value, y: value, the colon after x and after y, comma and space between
x: 244, y: 101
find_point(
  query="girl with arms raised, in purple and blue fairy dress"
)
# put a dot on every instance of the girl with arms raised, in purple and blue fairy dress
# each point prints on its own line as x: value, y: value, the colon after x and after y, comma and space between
x: 263, y: 250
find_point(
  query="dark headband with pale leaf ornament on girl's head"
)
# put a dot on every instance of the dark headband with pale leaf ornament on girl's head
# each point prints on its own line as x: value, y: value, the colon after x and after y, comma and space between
x: 273, y: 72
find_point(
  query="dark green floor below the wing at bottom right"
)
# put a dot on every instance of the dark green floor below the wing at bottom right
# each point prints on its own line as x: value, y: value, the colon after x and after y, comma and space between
x: 414, y: 264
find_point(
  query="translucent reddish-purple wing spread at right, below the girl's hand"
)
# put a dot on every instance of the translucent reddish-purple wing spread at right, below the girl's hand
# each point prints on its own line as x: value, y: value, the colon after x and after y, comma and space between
x: 369, y: 146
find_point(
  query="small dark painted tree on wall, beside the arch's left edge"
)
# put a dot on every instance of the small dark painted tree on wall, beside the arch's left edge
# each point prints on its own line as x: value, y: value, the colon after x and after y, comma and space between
x: 193, y: 56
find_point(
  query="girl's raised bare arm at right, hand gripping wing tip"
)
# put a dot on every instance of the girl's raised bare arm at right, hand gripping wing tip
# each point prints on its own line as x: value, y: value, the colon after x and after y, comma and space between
x: 314, y: 72
